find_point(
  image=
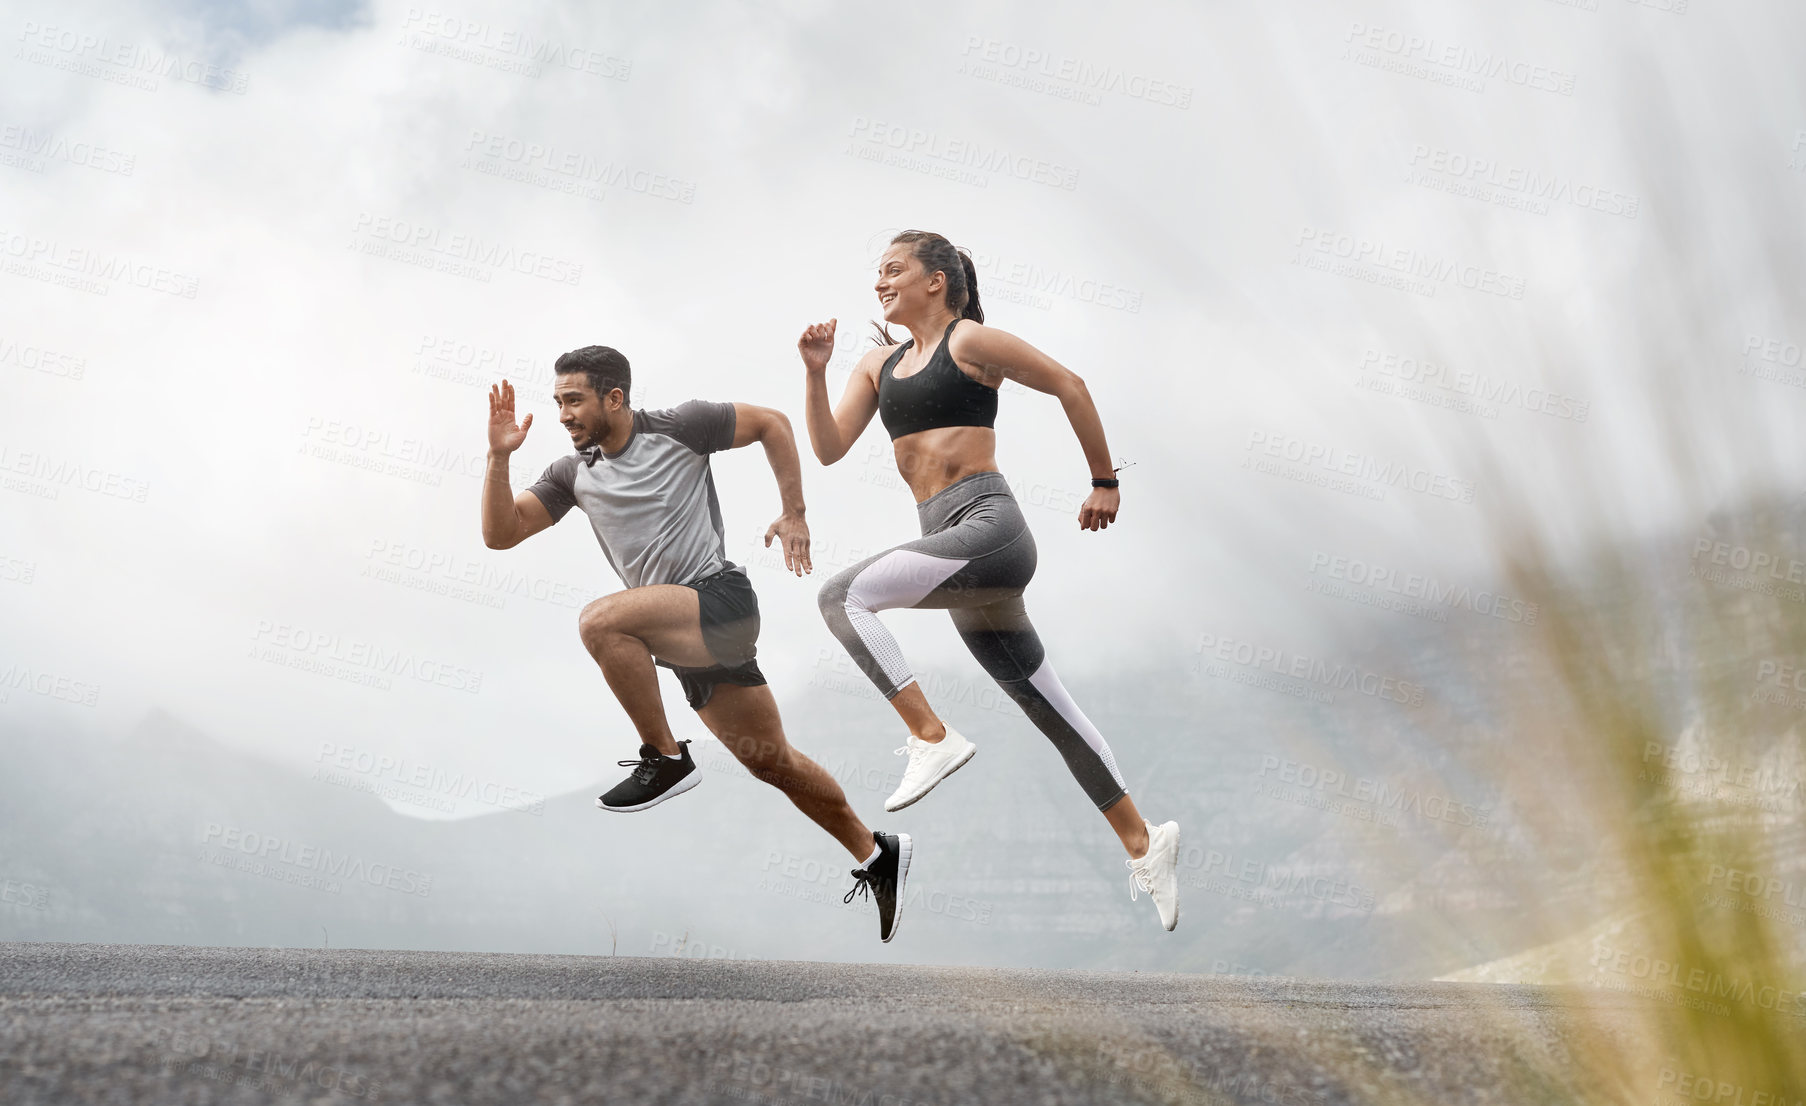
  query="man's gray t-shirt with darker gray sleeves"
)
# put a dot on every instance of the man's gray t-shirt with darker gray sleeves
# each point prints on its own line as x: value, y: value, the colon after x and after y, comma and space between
x: 653, y: 505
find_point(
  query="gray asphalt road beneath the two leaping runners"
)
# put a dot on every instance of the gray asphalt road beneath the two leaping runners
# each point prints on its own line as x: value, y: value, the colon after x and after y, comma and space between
x: 158, y: 1024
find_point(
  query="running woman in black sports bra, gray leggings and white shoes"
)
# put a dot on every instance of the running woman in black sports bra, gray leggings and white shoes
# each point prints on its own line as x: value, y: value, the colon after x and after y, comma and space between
x: 936, y: 397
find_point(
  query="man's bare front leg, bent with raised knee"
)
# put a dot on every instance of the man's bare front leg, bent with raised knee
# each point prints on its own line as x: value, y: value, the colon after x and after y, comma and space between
x: 624, y: 632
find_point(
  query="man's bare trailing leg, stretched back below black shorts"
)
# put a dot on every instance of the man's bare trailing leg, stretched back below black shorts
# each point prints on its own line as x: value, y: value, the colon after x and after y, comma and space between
x: 747, y: 722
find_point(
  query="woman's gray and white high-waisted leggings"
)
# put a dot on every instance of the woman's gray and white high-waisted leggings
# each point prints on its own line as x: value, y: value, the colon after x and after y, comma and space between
x: 974, y: 558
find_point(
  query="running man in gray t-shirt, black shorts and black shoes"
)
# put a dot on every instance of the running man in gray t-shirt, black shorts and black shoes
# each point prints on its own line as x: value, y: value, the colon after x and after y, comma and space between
x: 646, y: 485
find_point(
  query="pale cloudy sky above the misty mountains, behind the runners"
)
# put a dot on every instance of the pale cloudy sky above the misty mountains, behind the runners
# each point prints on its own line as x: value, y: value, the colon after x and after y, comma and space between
x: 1352, y: 285
